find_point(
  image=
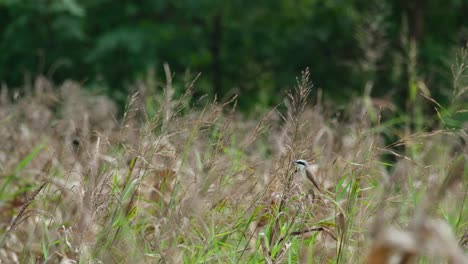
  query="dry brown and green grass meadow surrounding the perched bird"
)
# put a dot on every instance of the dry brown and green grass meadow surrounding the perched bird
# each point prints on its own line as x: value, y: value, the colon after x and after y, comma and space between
x: 181, y: 180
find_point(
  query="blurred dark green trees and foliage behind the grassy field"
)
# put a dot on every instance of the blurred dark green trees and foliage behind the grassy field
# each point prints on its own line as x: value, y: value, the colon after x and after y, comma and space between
x: 252, y: 48
